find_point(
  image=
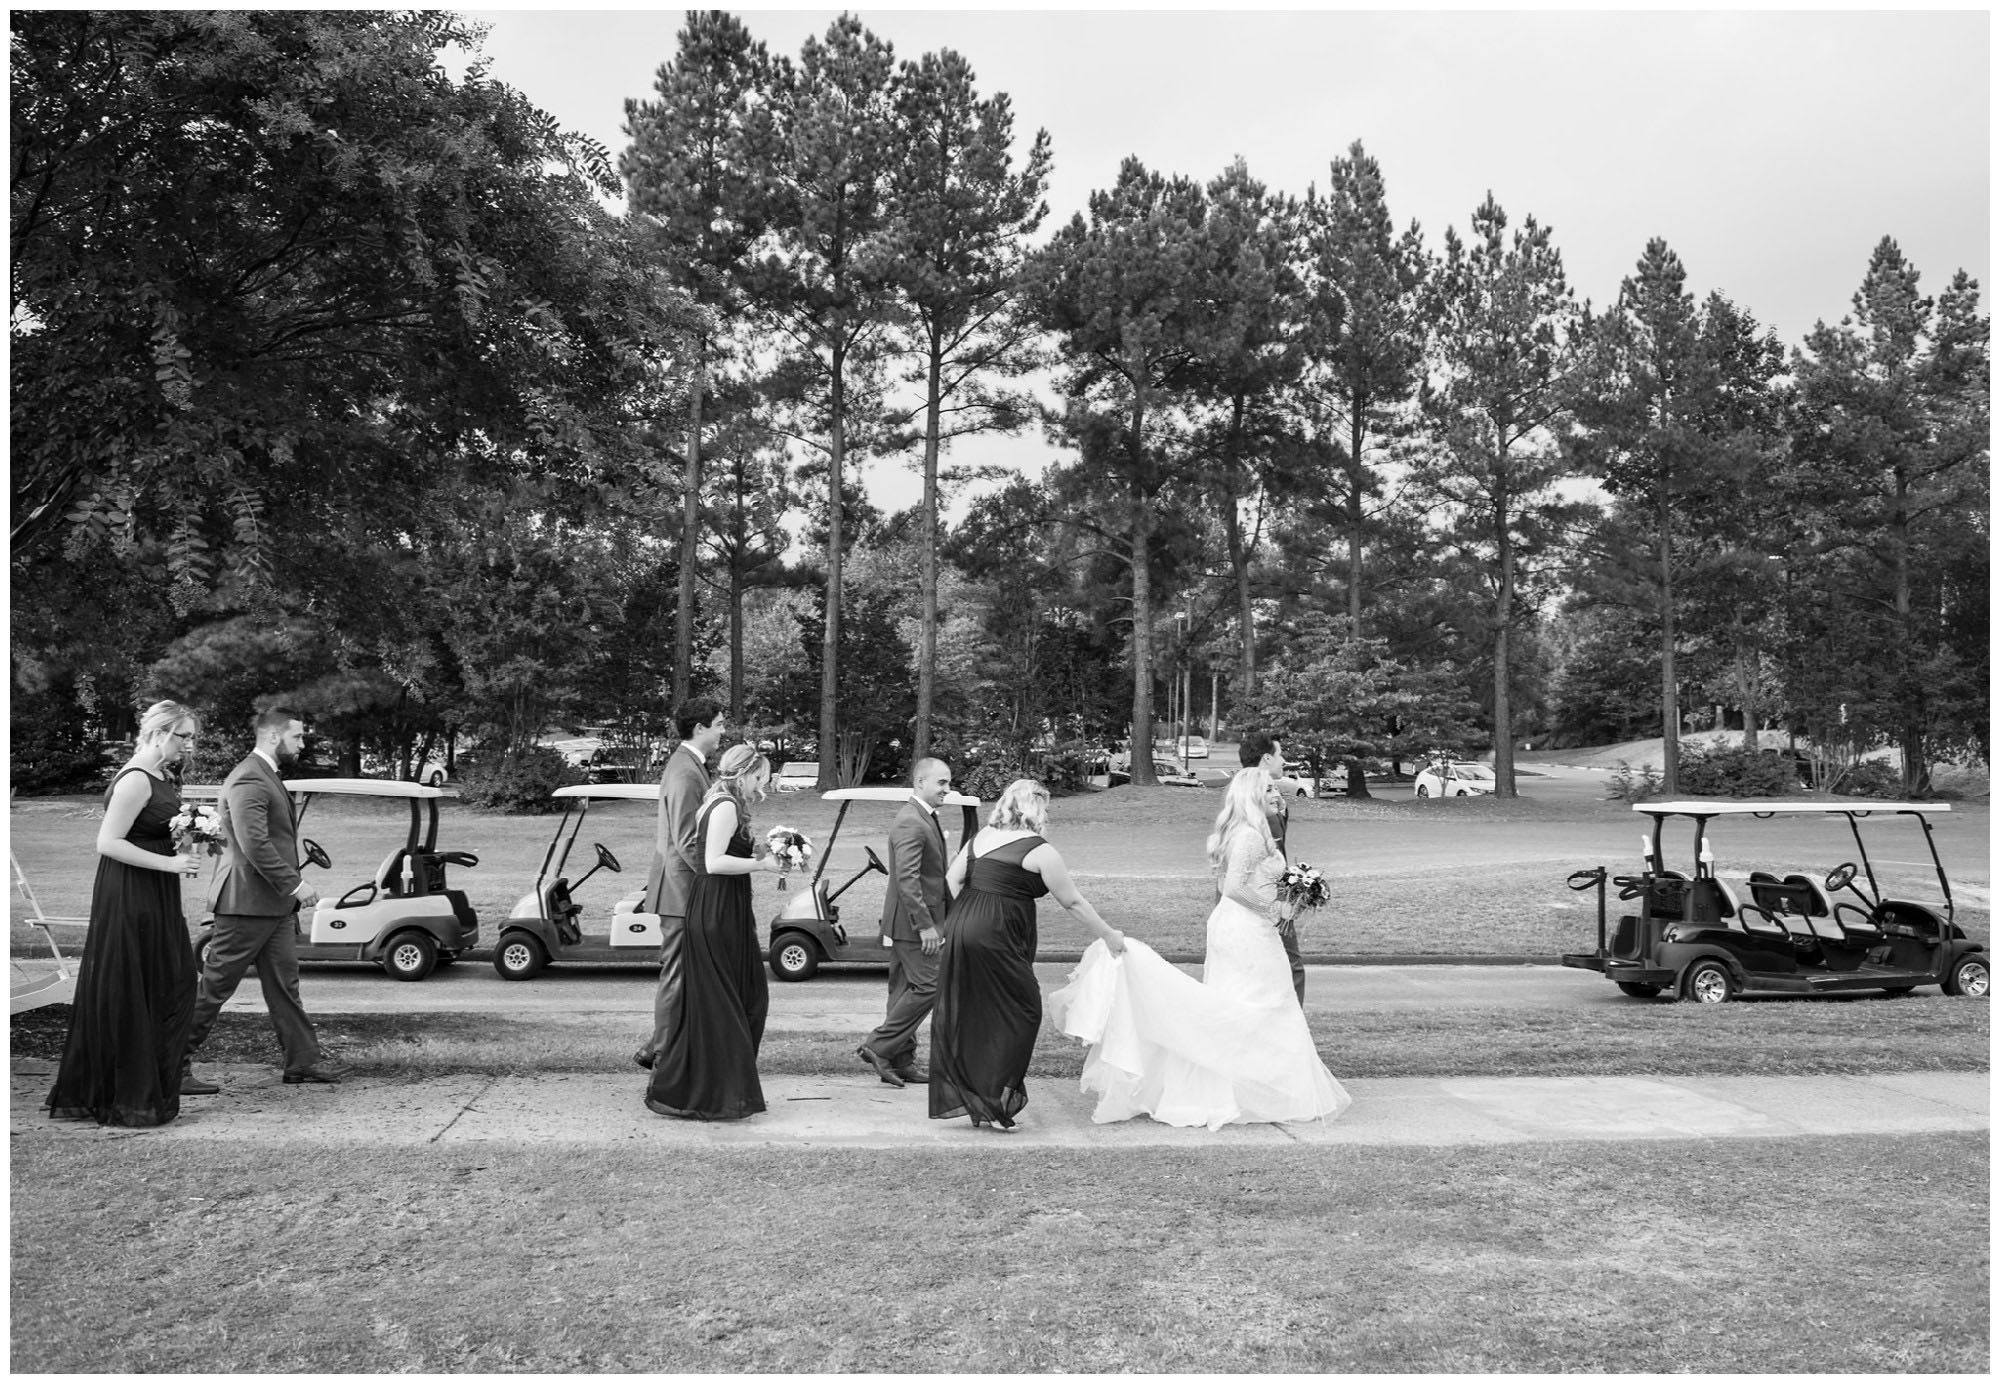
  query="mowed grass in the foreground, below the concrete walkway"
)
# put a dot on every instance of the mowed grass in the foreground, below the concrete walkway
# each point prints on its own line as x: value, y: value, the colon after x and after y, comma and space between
x: 1845, y: 1255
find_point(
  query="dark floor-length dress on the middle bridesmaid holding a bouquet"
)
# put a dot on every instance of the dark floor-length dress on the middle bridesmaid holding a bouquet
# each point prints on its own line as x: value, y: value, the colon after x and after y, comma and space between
x: 707, y: 1065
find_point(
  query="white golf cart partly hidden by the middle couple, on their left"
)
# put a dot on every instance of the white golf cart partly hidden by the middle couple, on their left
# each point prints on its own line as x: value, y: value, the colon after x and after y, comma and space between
x: 547, y: 925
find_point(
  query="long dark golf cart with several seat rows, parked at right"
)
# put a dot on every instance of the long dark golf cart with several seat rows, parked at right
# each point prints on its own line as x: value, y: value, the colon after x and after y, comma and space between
x: 1697, y: 937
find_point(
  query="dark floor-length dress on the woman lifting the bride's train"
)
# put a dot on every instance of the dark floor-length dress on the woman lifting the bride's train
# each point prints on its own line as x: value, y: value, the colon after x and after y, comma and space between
x: 989, y: 1003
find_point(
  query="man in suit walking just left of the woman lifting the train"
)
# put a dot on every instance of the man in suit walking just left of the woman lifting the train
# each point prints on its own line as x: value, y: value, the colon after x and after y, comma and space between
x: 913, y: 925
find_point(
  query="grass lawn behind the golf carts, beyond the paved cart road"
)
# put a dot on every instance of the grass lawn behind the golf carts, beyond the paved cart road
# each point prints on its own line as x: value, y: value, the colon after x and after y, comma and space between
x: 1445, y: 879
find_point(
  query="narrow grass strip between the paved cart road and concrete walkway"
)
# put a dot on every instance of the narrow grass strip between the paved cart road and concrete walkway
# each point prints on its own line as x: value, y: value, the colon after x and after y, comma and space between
x: 1639, y: 1039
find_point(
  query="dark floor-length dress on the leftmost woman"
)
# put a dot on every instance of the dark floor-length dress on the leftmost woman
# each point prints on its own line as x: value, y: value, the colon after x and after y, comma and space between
x: 135, y: 987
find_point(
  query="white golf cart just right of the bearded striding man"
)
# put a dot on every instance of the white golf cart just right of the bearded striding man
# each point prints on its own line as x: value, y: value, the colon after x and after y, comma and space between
x: 405, y: 917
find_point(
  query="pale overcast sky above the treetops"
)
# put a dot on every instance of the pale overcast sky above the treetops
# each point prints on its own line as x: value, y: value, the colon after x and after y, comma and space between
x: 1771, y: 151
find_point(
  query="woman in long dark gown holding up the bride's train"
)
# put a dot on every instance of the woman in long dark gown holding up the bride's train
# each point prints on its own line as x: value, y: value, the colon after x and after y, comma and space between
x: 989, y: 1001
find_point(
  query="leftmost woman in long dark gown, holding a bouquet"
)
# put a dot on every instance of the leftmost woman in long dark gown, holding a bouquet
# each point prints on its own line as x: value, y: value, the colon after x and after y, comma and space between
x: 135, y: 987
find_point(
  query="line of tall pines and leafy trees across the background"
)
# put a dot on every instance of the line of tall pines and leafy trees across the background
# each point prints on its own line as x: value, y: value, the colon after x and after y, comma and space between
x: 335, y: 381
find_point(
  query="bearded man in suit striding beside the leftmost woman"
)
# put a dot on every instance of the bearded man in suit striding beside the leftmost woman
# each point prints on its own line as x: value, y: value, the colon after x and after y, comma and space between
x: 255, y: 899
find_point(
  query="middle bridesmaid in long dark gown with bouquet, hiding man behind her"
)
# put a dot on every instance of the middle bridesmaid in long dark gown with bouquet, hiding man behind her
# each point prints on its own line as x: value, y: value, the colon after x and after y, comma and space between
x: 707, y: 1063
